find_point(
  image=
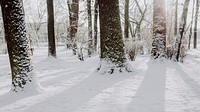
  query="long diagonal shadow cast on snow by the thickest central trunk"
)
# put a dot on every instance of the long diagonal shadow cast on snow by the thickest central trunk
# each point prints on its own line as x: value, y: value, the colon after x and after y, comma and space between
x: 71, y: 99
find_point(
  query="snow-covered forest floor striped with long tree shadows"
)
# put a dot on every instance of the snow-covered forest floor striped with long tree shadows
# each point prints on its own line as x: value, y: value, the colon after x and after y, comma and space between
x: 70, y: 85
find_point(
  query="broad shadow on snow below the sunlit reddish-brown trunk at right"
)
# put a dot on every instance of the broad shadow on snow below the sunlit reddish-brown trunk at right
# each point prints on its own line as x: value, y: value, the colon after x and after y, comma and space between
x: 151, y: 94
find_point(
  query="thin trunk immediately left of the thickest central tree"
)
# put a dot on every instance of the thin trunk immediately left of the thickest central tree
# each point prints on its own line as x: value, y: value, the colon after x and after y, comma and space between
x: 95, y: 23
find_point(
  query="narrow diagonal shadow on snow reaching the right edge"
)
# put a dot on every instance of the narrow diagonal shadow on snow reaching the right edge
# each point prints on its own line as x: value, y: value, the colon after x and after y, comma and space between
x: 188, y: 80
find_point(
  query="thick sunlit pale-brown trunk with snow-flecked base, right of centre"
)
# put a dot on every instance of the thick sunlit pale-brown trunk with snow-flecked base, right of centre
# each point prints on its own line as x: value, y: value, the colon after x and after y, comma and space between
x: 159, y: 29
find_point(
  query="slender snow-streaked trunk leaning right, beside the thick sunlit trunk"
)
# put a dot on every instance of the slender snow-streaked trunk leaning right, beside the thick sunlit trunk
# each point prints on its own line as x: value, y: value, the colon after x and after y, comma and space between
x: 182, y: 25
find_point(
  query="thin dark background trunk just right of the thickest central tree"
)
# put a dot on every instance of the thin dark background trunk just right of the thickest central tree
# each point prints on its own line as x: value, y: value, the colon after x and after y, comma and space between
x: 126, y: 25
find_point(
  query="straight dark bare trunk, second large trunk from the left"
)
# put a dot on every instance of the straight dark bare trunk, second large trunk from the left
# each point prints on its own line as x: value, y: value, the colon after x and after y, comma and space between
x: 51, y: 32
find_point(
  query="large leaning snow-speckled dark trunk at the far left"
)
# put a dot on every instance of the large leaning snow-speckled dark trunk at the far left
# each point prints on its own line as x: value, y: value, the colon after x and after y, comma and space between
x: 17, y: 44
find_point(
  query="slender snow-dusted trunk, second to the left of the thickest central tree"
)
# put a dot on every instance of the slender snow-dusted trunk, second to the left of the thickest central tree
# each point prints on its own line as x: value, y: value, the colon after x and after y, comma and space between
x: 90, y: 39
